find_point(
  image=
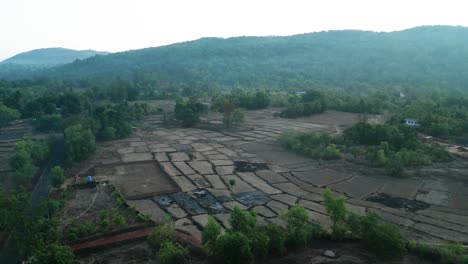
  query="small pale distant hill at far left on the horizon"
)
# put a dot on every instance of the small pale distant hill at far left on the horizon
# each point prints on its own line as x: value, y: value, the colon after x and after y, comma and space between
x: 51, y: 56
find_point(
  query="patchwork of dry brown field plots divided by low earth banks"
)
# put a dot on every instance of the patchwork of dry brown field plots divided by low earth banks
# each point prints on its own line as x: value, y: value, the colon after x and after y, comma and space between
x: 429, y: 205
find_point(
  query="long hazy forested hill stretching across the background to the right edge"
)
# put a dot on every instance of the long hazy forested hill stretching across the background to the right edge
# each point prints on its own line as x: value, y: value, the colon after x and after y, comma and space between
x: 430, y: 56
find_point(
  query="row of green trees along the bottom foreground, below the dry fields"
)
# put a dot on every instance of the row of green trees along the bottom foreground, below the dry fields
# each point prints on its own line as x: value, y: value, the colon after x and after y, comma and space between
x: 245, y: 241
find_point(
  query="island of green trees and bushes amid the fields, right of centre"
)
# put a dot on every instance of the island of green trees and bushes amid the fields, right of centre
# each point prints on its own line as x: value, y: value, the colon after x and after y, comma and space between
x: 391, y: 146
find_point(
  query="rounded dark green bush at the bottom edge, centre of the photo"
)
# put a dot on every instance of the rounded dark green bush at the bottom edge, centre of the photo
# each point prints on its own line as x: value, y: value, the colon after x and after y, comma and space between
x: 232, y: 247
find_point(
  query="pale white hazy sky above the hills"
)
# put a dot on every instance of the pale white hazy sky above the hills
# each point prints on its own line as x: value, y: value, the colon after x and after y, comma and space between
x: 117, y: 25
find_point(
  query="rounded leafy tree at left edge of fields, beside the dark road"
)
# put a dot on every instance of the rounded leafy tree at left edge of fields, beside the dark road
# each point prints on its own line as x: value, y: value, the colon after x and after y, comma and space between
x: 79, y: 143
